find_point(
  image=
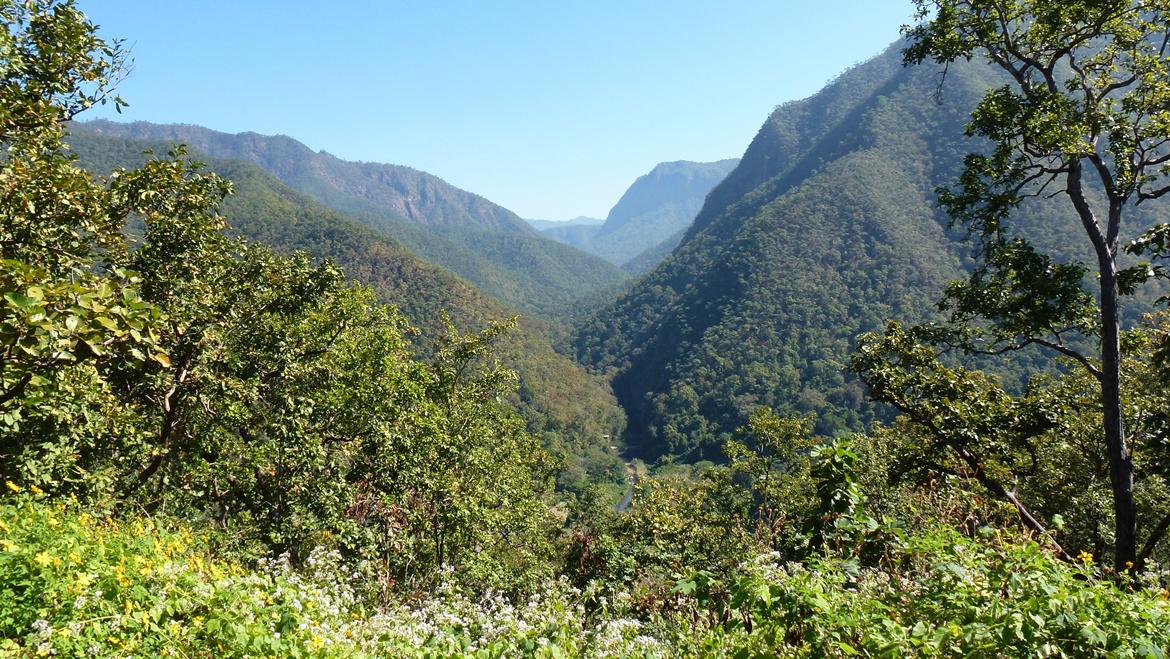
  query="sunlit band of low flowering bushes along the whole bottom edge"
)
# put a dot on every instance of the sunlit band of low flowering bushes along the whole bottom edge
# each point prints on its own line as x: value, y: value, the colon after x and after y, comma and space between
x: 72, y: 586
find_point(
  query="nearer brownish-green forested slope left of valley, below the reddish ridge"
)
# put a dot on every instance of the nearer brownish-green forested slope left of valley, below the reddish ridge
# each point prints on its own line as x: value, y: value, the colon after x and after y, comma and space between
x: 570, y: 409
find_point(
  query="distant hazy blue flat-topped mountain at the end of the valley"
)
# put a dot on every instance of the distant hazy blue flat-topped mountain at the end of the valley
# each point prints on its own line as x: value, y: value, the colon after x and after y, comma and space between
x: 657, y: 207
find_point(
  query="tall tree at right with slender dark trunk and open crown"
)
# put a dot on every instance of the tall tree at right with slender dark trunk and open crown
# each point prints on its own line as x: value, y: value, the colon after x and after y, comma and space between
x: 1086, y: 115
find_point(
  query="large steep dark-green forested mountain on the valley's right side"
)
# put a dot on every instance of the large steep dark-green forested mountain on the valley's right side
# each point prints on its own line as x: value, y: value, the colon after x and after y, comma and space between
x: 825, y: 230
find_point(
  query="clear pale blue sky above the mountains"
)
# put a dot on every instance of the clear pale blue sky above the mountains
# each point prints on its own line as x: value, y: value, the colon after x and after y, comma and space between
x: 549, y: 108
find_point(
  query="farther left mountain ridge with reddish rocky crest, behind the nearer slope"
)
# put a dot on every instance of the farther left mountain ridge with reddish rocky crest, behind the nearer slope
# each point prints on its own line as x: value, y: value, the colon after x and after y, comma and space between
x: 486, y: 244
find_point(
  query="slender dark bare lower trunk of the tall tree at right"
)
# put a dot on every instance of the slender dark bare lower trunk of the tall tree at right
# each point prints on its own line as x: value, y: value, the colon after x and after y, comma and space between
x: 1121, y: 463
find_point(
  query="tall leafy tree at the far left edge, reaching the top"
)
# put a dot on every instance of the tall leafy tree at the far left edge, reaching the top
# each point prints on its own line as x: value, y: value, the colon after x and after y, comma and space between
x: 70, y: 308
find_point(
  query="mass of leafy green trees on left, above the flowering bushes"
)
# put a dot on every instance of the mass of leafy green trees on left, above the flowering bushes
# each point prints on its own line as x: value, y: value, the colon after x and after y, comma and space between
x: 175, y: 369
